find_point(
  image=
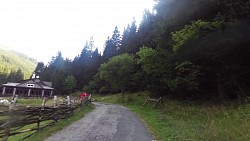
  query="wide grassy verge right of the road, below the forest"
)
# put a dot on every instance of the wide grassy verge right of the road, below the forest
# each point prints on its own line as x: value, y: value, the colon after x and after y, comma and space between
x: 181, y: 121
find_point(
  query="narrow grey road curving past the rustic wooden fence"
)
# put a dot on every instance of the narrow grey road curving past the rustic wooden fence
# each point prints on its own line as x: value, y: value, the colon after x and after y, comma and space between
x: 107, y: 122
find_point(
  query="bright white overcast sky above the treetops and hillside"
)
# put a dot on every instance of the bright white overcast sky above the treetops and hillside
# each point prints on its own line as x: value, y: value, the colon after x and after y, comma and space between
x: 41, y: 28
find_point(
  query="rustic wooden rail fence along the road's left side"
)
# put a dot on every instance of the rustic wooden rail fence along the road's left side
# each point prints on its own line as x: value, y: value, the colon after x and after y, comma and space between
x: 14, y: 119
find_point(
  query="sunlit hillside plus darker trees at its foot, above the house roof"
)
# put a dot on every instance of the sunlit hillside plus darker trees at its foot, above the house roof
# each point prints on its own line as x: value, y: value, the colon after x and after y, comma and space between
x: 14, y: 66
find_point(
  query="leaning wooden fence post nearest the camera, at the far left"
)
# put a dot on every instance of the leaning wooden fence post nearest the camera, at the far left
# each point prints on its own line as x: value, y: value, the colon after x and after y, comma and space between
x: 8, y: 126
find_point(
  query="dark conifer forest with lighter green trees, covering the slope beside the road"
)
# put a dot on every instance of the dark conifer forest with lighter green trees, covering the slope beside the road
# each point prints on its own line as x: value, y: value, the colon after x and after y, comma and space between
x: 185, y: 49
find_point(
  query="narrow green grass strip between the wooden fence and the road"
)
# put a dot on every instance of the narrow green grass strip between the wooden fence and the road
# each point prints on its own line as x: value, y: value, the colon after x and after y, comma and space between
x: 46, y: 132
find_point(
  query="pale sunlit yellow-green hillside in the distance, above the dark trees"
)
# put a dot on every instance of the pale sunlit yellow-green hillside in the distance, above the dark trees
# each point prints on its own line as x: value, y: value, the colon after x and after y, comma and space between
x: 11, y: 61
